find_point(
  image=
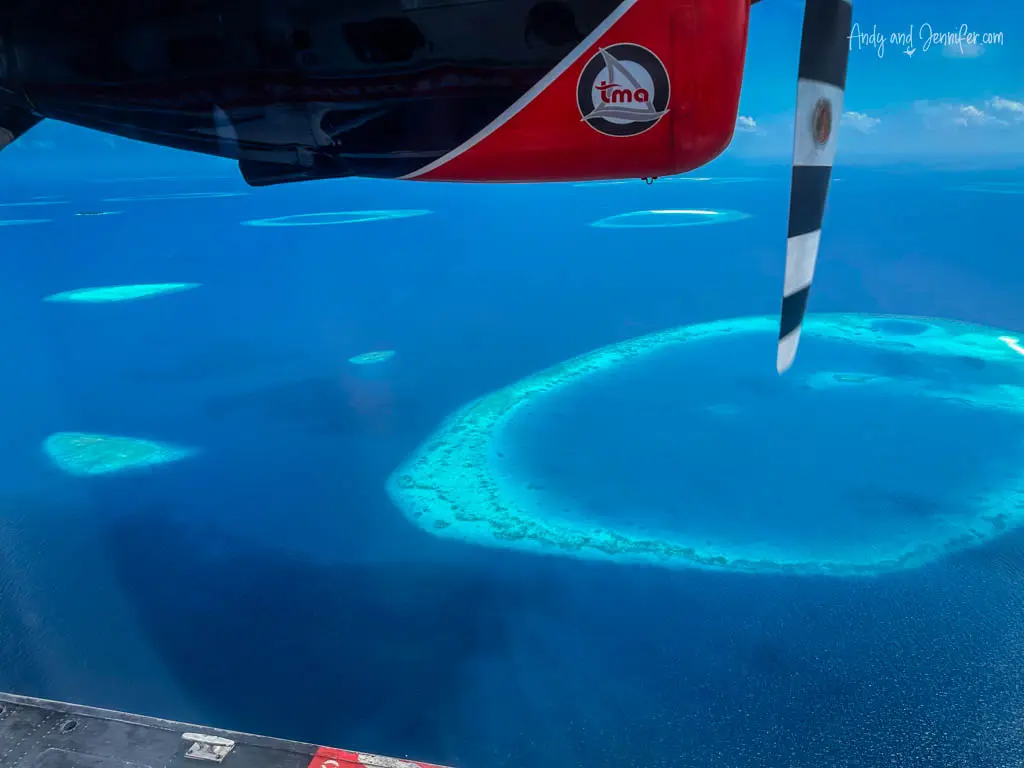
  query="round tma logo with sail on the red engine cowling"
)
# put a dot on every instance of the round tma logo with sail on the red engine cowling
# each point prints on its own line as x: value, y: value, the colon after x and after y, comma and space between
x: 623, y: 91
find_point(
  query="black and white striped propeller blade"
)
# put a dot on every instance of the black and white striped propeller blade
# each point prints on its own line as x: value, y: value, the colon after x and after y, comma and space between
x: 825, y: 52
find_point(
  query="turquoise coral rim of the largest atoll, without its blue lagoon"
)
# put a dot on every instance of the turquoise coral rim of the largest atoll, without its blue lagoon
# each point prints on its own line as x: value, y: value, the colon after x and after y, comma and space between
x: 458, y: 486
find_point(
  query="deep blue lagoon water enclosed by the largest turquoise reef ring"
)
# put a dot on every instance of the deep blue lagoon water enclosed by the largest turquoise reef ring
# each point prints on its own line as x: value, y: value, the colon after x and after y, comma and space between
x: 709, y: 443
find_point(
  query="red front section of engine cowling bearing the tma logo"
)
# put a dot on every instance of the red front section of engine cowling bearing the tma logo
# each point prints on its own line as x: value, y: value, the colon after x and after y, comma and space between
x: 656, y: 92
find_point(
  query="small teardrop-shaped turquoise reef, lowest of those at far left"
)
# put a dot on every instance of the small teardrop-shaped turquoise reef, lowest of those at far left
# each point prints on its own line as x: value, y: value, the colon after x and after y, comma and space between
x: 83, y: 454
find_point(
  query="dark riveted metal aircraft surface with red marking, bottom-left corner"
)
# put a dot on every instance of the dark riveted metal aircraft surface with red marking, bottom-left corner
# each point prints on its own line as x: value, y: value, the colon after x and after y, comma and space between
x: 37, y: 734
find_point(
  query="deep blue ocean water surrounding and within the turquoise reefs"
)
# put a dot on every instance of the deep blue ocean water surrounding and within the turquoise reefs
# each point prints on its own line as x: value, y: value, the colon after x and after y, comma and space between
x: 269, y: 584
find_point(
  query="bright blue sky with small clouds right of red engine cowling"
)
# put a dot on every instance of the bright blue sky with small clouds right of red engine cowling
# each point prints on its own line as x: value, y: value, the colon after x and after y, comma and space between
x: 959, y: 102
